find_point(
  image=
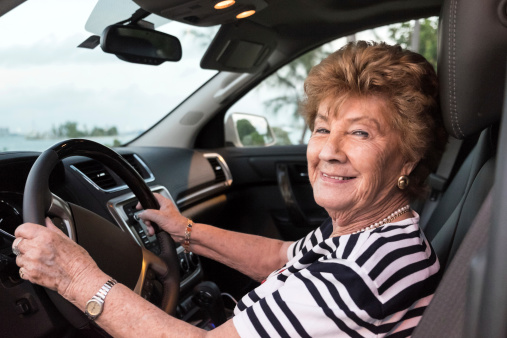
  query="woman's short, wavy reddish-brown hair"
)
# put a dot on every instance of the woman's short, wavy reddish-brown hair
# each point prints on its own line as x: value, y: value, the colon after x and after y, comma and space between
x: 404, y: 79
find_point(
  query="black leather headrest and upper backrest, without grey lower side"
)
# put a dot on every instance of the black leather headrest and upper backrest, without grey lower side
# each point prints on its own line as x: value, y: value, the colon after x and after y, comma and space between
x: 471, y: 68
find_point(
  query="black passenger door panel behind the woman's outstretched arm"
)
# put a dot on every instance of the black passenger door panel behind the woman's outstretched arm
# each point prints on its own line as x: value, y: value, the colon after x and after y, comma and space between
x: 270, y: 185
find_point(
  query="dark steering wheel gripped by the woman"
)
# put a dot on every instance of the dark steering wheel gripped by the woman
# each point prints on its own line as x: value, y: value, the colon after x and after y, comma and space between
x: 114, y: 251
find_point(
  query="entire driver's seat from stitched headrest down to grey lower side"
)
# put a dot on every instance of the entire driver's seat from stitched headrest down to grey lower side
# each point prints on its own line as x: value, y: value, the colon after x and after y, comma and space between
x: 472, y: 63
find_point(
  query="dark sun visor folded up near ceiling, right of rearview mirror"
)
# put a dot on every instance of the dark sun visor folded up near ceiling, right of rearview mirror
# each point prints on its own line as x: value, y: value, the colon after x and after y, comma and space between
x: 241, y: 47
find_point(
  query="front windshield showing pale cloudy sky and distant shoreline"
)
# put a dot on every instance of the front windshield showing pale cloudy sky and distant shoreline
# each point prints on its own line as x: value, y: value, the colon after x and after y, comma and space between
x: 52, y: 90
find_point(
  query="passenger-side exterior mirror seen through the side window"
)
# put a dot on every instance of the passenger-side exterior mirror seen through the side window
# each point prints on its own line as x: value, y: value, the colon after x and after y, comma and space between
x: 248, y: 130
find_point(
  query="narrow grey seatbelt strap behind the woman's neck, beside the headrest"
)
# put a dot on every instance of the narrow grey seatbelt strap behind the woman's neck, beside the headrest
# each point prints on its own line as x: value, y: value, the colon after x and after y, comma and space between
x: 438, y: 180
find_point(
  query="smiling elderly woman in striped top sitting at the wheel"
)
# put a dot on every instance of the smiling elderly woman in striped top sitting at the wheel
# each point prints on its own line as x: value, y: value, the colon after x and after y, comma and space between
x: 367, y: 271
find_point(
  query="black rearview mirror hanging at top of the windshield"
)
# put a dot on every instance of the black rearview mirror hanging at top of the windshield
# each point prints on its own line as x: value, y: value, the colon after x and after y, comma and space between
x: 140, y: 45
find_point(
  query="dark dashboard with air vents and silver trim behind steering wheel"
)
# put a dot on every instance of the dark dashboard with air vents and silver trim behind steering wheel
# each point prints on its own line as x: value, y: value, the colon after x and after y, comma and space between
x: 194, y: 180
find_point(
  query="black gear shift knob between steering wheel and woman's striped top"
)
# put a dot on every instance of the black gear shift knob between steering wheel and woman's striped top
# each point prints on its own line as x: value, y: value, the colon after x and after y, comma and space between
x: 207, y: 295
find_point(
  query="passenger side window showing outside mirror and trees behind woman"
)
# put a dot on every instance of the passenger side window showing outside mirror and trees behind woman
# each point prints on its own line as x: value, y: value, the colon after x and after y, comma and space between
x: 277, y: 98
